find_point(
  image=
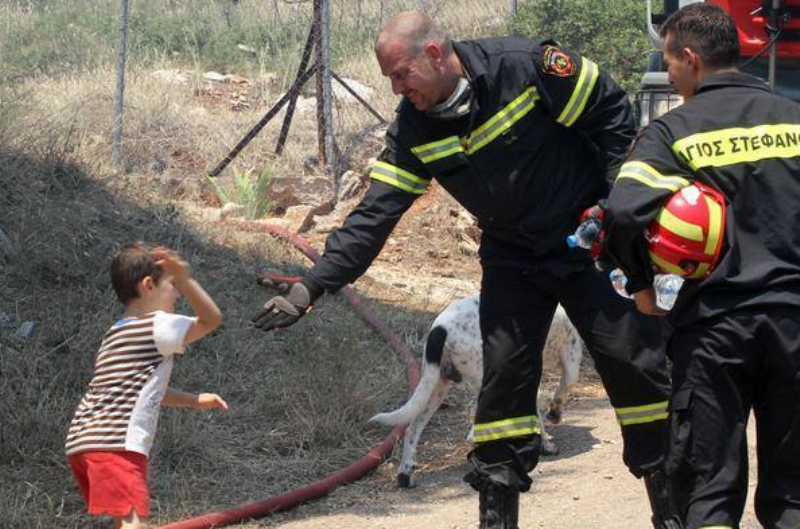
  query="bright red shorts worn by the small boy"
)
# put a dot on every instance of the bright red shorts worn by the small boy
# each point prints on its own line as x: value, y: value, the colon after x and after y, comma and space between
x: 112, y: 483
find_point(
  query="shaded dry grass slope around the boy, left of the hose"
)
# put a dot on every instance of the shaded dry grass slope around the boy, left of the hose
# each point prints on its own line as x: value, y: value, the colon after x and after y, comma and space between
x: 299, y: 399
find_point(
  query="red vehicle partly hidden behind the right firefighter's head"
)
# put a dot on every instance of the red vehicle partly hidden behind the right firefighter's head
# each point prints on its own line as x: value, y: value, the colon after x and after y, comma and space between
x: 769, y: 37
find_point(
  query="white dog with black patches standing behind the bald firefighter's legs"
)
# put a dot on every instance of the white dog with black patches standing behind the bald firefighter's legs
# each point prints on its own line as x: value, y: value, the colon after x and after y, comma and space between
x: 454, y: 353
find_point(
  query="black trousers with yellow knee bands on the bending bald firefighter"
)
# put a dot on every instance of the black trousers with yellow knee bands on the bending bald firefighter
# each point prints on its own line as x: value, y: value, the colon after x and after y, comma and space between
x: 516, y: 309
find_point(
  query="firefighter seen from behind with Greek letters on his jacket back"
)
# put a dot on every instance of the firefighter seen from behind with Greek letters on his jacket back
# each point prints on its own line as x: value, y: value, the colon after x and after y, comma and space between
x: 737, y: 338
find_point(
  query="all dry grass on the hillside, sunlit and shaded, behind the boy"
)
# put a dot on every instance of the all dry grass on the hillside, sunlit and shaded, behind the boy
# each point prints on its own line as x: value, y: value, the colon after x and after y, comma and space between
x: 299, y: 399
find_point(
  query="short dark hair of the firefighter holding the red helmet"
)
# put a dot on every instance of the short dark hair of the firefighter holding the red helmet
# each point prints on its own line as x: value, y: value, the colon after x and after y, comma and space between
x: 707, y: 30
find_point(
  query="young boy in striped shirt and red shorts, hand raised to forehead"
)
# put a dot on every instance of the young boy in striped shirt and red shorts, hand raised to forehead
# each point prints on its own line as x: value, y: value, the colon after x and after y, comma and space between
x: 113, y: 428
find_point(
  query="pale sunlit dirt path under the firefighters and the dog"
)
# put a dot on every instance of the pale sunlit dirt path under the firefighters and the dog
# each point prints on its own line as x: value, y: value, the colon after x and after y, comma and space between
x: 585, y: 487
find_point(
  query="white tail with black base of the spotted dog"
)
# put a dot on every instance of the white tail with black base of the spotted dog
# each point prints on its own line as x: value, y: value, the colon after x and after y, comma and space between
x: 431, y: 374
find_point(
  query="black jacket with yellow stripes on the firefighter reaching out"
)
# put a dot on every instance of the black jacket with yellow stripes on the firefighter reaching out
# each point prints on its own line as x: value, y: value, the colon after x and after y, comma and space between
x: 537, y: 149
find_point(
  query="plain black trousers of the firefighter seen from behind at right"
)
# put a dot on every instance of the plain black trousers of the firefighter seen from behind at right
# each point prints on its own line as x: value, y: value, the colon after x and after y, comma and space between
x: 722, y: 368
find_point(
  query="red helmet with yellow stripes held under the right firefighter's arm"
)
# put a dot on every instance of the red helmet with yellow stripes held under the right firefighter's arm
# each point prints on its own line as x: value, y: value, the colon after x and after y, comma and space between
x: 686, y: 237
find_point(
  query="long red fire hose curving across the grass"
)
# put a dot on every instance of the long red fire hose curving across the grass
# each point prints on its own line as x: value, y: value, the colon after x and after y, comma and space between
x: 349, y: 474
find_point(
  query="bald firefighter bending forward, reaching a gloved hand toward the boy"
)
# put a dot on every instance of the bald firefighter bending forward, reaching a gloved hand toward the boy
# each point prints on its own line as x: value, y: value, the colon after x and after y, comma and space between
x: 525, y: 136
